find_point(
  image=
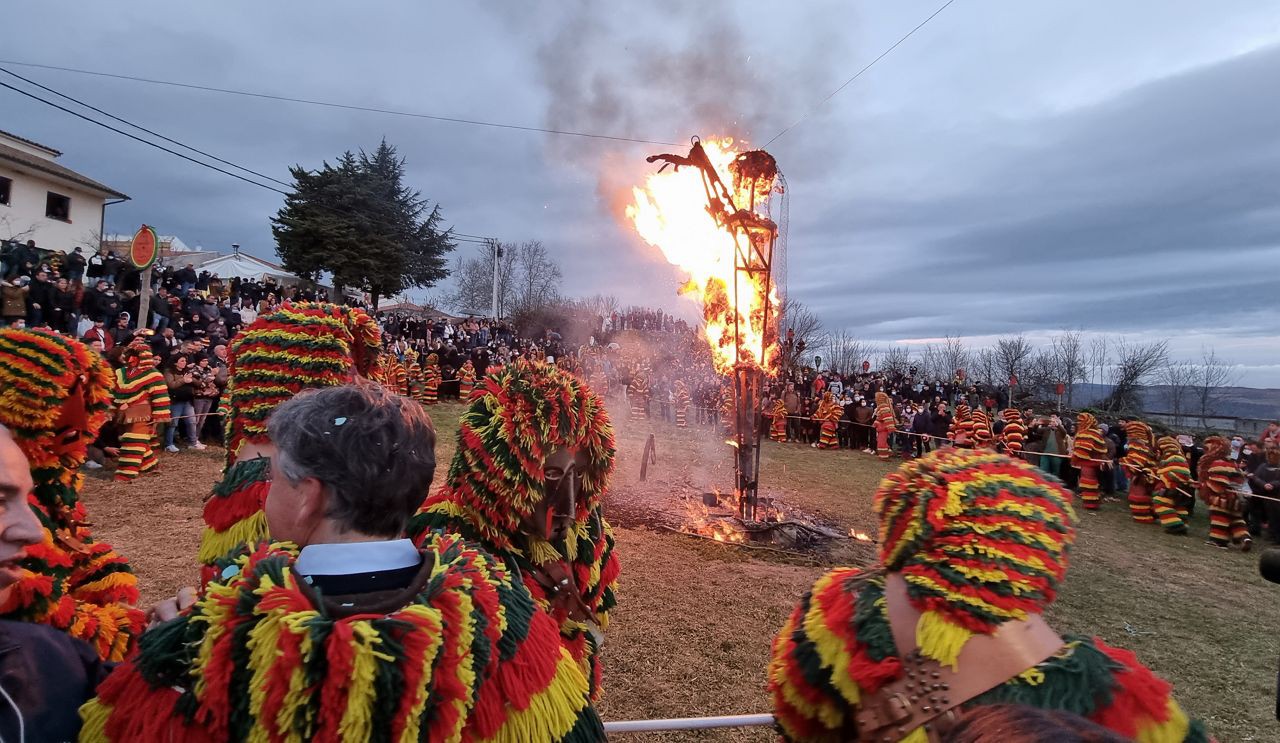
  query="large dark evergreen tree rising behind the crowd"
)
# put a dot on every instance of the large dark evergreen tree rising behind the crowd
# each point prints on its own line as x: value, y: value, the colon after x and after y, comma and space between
x: 358, y: 221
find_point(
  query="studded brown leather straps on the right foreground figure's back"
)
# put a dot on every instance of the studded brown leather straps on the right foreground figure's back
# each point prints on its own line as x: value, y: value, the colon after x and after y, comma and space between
x: 929, y: 694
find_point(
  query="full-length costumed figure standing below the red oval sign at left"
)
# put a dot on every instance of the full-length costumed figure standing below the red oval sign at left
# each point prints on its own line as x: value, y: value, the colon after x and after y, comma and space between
x: 143, y: 404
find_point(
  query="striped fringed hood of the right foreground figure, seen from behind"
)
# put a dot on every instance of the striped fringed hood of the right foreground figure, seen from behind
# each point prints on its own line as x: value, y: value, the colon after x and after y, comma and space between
x: 981, y: 539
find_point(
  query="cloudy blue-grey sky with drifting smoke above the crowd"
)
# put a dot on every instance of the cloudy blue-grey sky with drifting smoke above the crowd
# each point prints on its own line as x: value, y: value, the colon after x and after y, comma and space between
x: 1014, y: 167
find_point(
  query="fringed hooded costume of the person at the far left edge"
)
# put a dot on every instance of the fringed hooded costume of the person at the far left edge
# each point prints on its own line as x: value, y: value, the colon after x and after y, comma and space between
x: 56, y: 395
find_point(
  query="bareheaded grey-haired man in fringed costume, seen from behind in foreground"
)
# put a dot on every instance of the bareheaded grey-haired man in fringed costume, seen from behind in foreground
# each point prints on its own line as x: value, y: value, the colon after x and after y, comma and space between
x: 436, y: 642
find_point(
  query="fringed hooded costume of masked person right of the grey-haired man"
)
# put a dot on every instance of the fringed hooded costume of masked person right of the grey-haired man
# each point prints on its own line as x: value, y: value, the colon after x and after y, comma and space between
x: 515, y: 420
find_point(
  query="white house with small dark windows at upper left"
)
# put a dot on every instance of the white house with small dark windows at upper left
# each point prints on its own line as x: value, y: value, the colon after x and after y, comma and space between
x: 45, y: 202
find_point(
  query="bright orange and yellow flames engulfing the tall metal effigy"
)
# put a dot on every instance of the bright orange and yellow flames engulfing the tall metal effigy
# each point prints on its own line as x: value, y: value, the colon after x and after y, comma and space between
x: 671, y: 213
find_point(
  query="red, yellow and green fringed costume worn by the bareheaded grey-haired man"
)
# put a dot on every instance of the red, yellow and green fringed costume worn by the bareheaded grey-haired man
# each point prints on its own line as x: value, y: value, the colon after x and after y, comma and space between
x: 264, y: 657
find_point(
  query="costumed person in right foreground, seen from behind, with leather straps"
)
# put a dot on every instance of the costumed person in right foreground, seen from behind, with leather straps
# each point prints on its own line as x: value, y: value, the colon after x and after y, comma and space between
x: 973, y: 548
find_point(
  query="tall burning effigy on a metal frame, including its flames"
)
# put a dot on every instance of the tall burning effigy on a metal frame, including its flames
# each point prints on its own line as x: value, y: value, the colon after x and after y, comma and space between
x: 710, y: 216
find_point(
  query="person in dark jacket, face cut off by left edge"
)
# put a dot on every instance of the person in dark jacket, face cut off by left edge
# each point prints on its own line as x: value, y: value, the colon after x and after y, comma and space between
x: 45, y: 674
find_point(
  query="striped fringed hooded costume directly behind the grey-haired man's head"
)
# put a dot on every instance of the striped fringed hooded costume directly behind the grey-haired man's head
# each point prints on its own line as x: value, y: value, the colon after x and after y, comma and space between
x: 298, y: 348
